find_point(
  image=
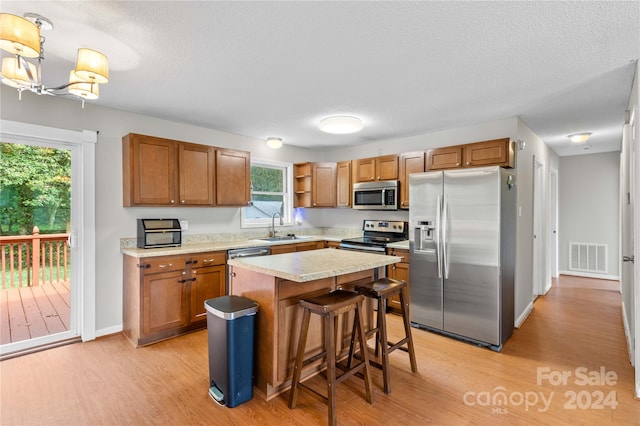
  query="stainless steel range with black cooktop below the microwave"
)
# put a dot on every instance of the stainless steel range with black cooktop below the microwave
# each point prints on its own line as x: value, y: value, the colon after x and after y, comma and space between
x: 377, y: 234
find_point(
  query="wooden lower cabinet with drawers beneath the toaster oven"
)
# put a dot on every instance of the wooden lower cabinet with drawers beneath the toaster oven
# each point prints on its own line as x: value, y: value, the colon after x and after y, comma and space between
x: 164, y: 296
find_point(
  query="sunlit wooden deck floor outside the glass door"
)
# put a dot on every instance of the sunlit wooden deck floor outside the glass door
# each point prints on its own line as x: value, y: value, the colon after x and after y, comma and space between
x: 37, y: 311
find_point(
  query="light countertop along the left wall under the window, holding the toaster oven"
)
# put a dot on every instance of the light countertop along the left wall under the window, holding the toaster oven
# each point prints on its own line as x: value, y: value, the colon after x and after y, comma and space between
x: 205, y: 246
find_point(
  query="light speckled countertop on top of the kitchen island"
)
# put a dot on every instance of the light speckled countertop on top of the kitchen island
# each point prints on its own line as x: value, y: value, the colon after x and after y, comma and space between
x: 314, y: 264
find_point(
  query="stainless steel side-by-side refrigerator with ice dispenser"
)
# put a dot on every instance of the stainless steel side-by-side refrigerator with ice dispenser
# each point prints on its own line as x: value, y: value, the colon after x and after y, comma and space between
x: 462, y: 237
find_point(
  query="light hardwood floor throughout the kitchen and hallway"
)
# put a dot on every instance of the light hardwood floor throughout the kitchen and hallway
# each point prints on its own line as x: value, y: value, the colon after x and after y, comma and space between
x: 577, y: 328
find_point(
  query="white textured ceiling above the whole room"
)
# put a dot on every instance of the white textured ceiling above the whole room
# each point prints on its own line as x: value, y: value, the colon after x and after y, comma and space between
x: 276, y: 68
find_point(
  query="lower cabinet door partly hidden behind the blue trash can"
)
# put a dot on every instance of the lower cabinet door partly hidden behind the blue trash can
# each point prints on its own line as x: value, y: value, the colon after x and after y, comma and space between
x: 208, y: 283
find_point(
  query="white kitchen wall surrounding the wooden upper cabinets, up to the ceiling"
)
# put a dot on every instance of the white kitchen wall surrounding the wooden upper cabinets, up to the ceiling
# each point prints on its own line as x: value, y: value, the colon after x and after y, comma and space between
x: 114, y: 222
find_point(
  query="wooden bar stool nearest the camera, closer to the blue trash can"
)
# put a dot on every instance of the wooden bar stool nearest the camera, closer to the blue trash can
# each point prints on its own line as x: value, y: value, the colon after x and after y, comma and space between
x: 330, y: 306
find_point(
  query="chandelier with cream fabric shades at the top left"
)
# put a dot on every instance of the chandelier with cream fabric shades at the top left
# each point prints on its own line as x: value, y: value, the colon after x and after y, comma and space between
x: 21, y: 37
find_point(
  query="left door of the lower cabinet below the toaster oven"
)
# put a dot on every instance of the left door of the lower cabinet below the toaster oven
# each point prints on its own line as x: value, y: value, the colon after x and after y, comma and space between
x: 164, y: 302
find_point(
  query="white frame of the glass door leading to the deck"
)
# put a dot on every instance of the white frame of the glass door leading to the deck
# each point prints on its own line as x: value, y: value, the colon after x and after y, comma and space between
x: 82, y: 227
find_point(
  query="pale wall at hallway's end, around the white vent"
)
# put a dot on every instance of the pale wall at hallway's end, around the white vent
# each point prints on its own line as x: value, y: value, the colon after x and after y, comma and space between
x: 589, y: 205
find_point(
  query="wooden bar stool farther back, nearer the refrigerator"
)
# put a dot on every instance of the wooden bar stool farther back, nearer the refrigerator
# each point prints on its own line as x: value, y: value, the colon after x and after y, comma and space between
x: 382, y: 290
